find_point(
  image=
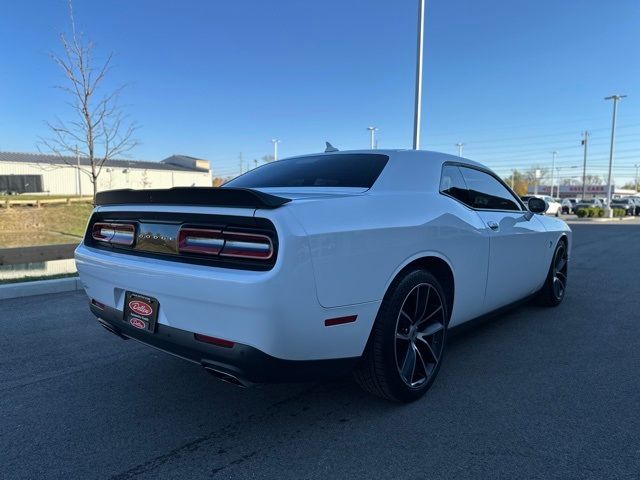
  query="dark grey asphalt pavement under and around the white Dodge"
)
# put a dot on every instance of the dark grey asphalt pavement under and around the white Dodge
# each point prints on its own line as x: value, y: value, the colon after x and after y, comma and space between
x: 533, y: 393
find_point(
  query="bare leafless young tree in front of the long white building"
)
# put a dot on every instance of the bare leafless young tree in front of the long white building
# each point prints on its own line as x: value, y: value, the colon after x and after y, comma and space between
x: 98, y: 130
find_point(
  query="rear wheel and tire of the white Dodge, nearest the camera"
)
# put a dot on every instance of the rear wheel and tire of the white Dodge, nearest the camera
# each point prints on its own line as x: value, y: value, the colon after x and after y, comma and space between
x: 408, y: 339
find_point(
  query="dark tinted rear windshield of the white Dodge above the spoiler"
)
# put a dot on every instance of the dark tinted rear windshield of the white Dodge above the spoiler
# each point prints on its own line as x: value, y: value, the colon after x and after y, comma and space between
x: 336, y: 170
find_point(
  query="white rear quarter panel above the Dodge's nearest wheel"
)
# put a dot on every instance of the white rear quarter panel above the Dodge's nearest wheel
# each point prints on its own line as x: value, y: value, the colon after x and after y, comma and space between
x: 359, y: 244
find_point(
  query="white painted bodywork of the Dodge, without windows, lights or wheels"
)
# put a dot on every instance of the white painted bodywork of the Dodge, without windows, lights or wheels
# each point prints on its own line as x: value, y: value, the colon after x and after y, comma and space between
x: 339, y: 251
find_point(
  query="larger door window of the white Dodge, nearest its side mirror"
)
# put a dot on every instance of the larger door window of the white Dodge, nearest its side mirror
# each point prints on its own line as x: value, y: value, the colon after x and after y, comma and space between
x: 487, y: 192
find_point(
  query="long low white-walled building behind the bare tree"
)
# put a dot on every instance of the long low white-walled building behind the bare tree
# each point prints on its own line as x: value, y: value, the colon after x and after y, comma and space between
x: 54, y: 175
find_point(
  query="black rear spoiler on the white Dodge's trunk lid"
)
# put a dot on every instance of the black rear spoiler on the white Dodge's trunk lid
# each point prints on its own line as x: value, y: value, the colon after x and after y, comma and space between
x: 201, y: 196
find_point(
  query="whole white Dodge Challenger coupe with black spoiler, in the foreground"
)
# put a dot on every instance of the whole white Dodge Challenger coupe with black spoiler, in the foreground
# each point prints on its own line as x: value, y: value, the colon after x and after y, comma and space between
x: 313, y: 266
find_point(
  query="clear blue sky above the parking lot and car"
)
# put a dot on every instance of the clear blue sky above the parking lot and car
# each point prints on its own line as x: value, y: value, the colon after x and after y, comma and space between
x: 511, y: 79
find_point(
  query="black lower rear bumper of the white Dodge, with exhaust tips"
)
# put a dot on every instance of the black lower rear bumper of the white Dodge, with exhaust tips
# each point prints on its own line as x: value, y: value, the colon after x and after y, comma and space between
x: 243, y: 362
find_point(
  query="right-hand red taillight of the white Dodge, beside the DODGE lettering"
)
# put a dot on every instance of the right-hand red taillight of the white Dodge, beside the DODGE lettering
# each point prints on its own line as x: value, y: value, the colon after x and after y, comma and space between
x: 225, y: 243
